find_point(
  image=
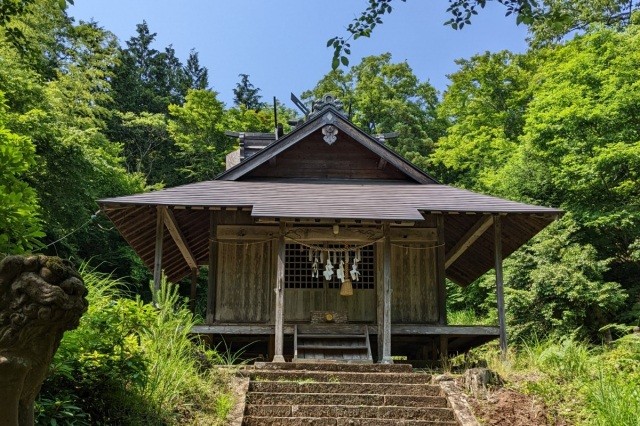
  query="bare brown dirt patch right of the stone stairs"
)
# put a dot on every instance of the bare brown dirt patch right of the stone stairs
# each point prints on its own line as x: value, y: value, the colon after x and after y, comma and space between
x: 506, y: 407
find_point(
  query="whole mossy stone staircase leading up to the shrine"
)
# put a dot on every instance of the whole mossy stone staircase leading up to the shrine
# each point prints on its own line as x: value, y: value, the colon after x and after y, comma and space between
x: 343, y: 394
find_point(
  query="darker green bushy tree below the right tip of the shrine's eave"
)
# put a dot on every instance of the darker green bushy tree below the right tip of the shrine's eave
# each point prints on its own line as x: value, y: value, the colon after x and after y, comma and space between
x: 565, y: 282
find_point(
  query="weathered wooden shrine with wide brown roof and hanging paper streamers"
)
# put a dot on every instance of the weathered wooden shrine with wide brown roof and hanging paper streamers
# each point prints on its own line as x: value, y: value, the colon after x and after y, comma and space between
x: 282, y: 228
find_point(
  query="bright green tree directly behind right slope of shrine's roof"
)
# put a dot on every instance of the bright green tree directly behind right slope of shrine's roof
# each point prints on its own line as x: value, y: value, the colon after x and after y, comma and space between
x: 485, y: 105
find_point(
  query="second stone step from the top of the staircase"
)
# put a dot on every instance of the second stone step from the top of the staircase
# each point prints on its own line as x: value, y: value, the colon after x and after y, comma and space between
x: 337, y: 376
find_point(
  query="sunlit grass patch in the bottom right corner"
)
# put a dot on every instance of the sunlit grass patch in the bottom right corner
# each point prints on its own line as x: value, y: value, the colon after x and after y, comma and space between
x: 580, y: 383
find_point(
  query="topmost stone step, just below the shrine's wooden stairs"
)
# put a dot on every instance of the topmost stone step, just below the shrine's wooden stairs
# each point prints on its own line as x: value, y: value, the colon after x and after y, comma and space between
x: 333, y: 366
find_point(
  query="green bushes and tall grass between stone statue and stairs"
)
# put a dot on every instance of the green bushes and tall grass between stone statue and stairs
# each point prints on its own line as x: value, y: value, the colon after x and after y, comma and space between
x: 130, y: 362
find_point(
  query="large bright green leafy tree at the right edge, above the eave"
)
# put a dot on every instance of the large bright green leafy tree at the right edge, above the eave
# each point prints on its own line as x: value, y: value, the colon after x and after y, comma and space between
x: 581, y: 140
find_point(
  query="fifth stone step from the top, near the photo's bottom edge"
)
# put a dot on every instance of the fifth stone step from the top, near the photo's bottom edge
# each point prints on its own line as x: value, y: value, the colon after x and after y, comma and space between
x: 351, y: 412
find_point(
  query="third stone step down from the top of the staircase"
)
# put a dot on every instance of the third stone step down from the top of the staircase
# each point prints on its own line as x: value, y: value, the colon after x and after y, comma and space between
x: 360, y: 388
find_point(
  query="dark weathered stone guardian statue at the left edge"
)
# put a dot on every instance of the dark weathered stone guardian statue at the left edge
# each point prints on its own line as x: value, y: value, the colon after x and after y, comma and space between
x: 40, y: 298
